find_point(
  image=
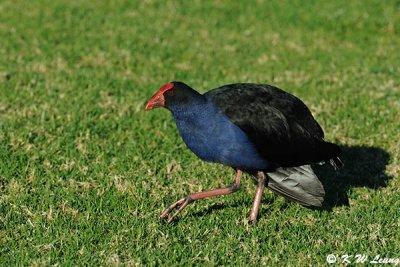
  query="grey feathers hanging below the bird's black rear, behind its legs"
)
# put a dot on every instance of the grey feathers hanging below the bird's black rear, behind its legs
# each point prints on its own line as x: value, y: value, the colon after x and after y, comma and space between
x: 299, y: 184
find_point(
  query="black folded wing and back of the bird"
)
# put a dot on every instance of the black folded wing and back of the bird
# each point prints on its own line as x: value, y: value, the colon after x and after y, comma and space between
x: 279, y: 124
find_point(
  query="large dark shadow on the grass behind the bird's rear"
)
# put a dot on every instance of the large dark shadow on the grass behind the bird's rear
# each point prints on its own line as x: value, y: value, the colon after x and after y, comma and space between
x: 364, y: 166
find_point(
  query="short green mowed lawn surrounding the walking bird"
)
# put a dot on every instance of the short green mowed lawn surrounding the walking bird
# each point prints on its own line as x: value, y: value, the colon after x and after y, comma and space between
x: 85, y: 172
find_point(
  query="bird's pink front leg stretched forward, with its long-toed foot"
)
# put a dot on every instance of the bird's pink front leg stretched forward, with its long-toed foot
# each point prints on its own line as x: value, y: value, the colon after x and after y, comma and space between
x: 182, y: 203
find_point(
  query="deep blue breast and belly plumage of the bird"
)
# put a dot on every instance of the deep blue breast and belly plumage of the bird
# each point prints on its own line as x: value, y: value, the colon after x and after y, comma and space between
x: 213, y: 137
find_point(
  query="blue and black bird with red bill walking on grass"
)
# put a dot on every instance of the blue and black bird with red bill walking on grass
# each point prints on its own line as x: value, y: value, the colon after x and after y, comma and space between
x: 256, y: 129
